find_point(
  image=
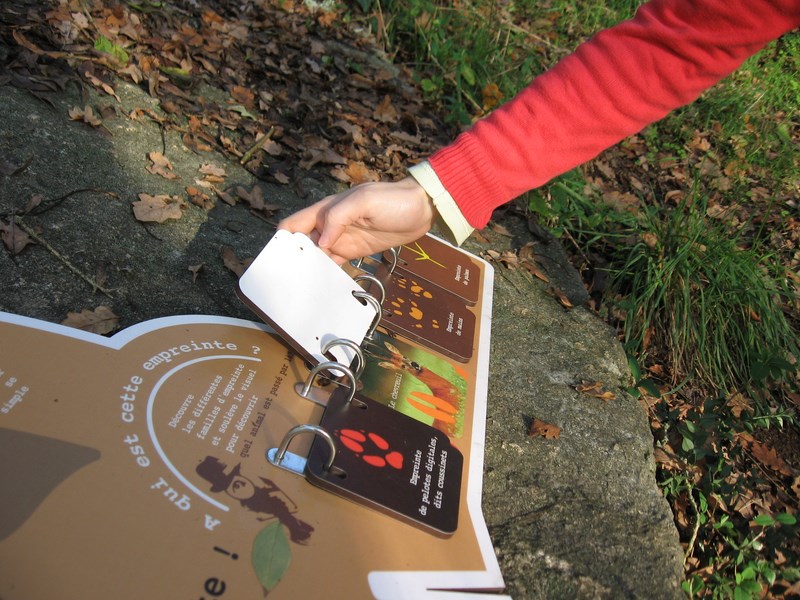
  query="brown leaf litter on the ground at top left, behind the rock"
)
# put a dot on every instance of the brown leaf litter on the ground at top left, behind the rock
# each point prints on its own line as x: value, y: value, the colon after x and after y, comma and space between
x: 281, y: 88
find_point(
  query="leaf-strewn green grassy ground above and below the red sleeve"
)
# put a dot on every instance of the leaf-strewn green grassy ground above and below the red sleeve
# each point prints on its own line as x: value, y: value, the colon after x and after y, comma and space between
x: 708, y: 297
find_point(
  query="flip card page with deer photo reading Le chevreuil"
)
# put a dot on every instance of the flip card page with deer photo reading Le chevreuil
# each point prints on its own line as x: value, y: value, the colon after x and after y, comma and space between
x: 417, y: 383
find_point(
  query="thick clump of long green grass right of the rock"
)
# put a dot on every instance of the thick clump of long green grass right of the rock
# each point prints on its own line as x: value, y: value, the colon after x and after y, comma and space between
x: 691, y: 286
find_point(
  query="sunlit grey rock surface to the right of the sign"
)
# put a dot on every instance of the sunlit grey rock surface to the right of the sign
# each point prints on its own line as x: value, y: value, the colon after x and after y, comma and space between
x: 579, y: 516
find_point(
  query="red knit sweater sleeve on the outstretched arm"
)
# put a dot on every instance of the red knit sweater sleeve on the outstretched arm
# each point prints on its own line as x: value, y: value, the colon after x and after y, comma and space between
x: 612, y: 86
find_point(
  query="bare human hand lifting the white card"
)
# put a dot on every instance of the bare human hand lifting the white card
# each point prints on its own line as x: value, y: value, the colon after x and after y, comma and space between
x: 366, y: 219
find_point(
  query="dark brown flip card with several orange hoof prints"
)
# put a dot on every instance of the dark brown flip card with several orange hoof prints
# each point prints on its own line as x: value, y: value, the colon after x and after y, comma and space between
x: 427, y: 314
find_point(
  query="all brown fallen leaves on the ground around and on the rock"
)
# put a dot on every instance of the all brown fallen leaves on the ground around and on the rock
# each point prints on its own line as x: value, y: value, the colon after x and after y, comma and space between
x: 292, y: 92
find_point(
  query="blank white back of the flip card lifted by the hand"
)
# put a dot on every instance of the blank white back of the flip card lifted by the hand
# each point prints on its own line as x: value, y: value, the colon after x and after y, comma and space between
x: 306, y: 297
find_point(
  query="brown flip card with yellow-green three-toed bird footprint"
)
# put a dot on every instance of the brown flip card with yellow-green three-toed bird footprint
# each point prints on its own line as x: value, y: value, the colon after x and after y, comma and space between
x: 439, y: 263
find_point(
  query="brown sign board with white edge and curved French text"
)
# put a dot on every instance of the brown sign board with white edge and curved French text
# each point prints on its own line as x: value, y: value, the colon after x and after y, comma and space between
x: 134, y: 466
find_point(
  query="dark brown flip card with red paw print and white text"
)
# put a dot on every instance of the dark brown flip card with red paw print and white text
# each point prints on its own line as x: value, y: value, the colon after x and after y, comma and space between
x: 389, y: 462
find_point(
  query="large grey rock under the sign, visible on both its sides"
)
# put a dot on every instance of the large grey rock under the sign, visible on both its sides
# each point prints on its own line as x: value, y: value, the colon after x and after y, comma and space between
x: 576, y: 517
